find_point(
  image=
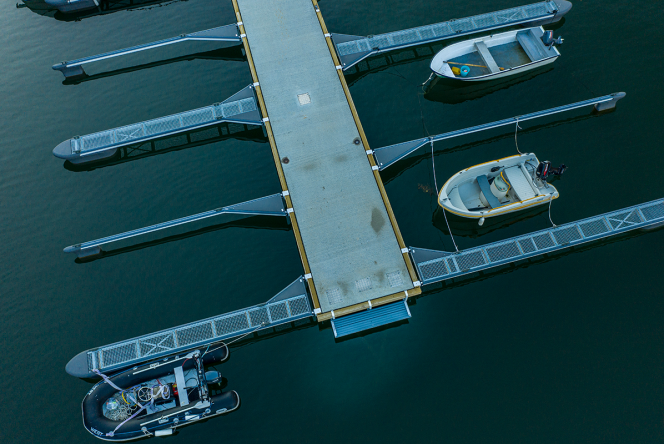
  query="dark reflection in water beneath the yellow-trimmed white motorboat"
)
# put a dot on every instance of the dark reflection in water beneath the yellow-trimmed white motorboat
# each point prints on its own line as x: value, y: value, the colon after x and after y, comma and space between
x: 464, y: 227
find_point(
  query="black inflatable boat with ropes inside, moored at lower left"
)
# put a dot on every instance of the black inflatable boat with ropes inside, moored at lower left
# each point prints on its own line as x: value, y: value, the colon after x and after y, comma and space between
x: 156, y: 398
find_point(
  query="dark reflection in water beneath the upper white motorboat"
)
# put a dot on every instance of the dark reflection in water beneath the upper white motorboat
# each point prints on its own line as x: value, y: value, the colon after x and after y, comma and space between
x: 449, y: 91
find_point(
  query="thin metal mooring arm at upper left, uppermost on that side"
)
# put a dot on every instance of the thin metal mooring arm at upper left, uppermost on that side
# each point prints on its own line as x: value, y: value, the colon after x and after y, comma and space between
x: 228, y: 33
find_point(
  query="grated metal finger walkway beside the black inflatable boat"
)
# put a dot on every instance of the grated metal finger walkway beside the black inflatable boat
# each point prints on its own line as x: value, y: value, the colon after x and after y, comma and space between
x: 289, y: 305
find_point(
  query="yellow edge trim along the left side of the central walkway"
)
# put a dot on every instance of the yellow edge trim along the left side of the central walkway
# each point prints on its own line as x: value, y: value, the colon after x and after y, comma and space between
x: 277, y: 160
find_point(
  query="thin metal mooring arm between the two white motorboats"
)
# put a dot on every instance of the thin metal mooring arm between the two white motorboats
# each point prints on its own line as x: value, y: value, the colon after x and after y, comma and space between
x: 389, y: 155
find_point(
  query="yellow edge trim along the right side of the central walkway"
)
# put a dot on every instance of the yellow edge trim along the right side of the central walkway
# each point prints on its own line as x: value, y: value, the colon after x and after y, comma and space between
x: 379, y: 181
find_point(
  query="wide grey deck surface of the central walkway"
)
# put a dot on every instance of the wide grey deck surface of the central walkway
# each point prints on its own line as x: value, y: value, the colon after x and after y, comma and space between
x: 349, y: 242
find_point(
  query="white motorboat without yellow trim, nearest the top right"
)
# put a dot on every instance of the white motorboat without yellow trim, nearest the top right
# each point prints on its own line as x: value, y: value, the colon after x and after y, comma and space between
x: 496, y: 56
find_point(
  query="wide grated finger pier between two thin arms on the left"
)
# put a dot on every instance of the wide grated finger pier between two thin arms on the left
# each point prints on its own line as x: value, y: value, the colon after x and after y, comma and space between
x: 240, y: 108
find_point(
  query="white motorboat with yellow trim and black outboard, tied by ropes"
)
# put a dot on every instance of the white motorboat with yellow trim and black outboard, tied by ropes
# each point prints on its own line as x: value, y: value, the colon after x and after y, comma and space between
x: 499, y: 187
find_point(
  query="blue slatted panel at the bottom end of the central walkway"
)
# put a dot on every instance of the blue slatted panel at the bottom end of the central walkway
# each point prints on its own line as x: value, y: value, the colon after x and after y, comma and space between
x: 369, y: 319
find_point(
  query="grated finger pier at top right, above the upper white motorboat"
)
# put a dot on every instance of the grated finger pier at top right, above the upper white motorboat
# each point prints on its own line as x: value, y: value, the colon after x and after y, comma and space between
x: 353, y: 49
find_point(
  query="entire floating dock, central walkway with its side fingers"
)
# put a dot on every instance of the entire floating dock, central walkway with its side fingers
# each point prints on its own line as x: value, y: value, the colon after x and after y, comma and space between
x: 358, y: 271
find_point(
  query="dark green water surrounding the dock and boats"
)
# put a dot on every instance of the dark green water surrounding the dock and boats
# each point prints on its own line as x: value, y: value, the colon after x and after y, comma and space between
x: 566, y: 350
